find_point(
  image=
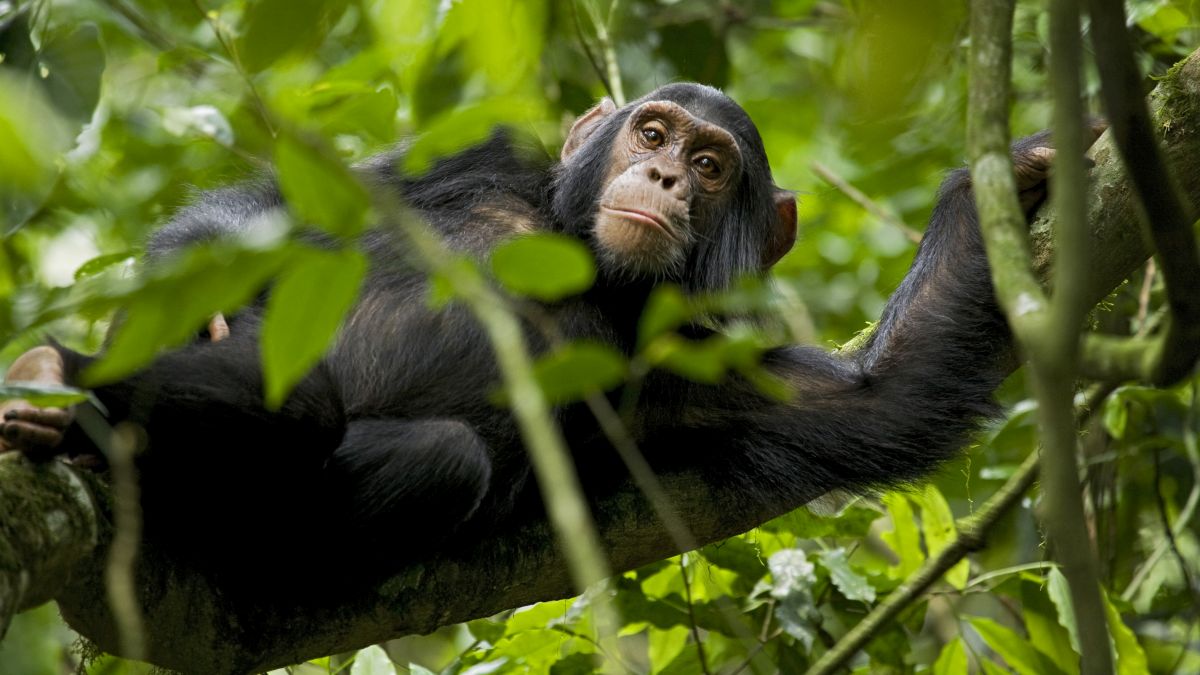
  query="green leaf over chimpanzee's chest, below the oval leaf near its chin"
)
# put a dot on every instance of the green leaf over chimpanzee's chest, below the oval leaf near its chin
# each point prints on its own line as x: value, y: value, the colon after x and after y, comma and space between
x: 575, y: 371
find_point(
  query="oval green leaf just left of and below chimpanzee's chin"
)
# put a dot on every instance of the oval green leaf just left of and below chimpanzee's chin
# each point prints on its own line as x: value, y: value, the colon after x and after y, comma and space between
x: 547, y: 267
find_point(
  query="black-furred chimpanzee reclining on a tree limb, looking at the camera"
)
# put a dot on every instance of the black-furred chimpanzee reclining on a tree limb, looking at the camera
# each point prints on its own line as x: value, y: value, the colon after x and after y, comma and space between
x: 394, y: 434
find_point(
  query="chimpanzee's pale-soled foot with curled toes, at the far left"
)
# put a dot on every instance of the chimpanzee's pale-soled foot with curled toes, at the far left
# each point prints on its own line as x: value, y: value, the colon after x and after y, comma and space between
x: 32, y: 431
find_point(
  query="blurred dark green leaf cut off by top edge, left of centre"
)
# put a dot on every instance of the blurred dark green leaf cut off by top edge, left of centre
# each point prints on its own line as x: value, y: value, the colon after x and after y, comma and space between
x: 274, y: 28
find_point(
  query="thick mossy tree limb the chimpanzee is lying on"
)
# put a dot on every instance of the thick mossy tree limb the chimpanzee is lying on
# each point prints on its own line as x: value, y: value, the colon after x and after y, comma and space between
x: 197, y: 629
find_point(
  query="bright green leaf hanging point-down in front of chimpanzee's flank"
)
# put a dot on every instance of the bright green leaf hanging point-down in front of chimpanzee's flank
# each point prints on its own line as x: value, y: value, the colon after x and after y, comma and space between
x: 305, y: 310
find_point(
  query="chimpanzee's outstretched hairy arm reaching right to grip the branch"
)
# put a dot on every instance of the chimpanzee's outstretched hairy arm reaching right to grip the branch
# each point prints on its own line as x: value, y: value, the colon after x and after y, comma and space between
x: 895, y: 409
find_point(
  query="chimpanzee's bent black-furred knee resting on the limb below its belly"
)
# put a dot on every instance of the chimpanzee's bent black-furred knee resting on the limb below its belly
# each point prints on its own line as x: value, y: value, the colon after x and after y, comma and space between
x: 407, y: 483
